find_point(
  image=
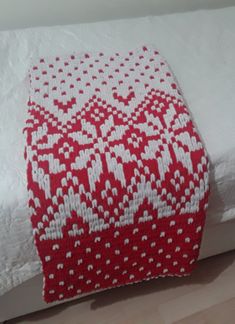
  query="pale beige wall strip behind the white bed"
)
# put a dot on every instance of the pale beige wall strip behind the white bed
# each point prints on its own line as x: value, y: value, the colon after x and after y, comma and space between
x: 26, y: 13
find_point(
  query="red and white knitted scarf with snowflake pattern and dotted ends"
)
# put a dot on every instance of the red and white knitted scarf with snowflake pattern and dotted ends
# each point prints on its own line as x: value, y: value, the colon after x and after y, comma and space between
x: 117, y: 174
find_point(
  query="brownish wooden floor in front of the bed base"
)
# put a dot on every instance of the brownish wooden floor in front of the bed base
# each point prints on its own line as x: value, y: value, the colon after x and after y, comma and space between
x: 207, y: 297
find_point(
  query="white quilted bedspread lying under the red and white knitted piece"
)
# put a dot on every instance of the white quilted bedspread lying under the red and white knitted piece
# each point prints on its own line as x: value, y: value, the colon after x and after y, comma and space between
x: 199, y: 46
